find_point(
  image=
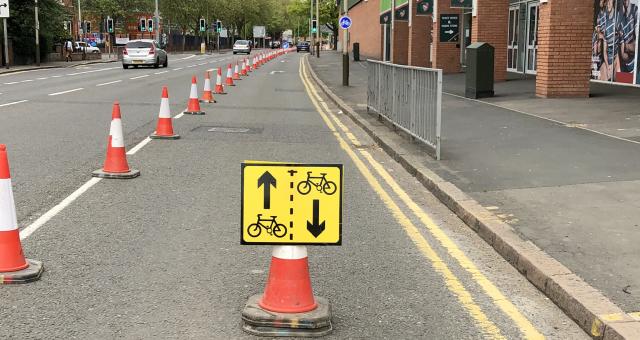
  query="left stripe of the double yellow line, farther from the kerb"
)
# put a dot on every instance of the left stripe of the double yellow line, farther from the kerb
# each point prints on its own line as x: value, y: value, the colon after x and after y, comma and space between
x: 454, y: 285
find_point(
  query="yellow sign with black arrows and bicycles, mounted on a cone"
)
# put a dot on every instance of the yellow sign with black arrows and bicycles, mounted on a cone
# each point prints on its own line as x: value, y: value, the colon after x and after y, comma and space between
x: 291, y: 204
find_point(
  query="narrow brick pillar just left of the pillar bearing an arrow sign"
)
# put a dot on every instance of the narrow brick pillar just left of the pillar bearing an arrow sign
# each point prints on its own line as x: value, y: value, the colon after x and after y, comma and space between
x: 419, y: 40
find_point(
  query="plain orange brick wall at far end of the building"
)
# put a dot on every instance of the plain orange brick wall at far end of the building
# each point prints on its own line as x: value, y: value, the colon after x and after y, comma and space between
x: 366, y: 29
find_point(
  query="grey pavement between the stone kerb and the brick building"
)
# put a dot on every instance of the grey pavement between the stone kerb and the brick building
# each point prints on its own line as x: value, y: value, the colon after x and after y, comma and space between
x: 569, y: 187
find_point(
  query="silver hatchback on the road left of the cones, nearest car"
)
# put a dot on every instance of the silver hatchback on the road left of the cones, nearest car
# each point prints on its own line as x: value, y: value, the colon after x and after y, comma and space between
x: 144, y: 52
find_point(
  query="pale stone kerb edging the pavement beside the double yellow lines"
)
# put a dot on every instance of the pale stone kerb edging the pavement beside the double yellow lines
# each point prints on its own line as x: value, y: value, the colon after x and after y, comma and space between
x: 591, y: 310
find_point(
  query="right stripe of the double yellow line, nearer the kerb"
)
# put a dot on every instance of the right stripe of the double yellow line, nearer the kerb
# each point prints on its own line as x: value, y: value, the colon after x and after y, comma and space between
x: 525, y: 326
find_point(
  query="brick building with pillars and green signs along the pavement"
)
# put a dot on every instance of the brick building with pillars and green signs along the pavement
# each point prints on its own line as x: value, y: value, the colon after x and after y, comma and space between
x: 563, y: 43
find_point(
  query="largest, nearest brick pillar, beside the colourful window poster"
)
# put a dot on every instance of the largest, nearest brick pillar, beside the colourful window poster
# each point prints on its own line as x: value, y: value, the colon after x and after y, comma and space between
x: 564, y: 48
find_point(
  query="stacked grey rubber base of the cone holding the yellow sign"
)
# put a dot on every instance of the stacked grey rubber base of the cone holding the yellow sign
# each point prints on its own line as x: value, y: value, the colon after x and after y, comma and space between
x: 260, y: 322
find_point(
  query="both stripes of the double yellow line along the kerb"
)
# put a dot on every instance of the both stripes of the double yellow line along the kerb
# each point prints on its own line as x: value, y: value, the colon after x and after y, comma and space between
x: 455, y: 286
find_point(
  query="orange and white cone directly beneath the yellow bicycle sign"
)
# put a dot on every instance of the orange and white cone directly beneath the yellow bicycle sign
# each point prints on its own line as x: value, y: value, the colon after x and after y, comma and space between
x: 287, y: 307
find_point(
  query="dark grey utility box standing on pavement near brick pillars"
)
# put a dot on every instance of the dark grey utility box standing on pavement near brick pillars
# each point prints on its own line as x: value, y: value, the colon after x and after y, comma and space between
x: 479, y: 78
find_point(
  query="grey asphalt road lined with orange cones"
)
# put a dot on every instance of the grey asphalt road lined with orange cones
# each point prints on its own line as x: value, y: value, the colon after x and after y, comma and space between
x: 159, y: 256
